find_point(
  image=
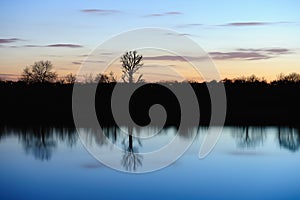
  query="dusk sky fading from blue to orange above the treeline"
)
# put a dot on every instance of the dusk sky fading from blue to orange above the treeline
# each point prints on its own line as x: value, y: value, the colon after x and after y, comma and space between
x: 241, y: 37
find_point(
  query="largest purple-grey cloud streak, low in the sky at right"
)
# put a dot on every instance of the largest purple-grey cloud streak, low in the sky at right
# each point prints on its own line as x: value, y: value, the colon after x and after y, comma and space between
x: 250, y: 54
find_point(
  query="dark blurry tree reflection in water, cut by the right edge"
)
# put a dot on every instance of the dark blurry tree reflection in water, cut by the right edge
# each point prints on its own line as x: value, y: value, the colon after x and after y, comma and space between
x: 289, y: 138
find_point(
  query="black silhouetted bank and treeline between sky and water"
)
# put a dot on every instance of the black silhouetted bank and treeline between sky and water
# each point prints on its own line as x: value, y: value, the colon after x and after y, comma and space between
x: 250, y: 101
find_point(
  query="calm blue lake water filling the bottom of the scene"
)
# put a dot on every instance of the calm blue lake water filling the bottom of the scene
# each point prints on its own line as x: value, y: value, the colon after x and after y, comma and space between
x: 246, y: 163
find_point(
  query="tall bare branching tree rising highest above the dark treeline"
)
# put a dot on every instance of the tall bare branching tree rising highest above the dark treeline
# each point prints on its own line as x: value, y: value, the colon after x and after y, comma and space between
x: 131, y: 63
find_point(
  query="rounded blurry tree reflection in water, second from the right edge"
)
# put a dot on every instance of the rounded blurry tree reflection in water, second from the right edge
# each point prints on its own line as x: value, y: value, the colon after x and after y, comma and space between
x: 249, y: 137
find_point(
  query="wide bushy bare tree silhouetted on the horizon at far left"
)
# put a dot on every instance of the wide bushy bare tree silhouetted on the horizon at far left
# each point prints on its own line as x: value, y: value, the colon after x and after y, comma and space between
x: 39, y: 72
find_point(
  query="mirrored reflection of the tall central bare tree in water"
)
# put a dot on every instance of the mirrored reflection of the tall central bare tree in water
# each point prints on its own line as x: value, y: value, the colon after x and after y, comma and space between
x: 131, y: 159
